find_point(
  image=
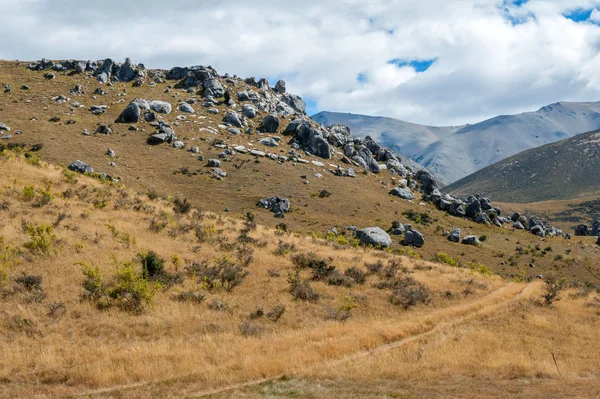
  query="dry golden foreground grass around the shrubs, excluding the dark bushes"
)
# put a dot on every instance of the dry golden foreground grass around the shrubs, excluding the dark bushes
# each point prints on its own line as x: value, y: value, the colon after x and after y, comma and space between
x: 480, y: 328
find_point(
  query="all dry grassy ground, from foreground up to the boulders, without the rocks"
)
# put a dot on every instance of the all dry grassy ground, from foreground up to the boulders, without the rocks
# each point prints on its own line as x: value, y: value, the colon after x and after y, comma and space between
x: 112, y: 290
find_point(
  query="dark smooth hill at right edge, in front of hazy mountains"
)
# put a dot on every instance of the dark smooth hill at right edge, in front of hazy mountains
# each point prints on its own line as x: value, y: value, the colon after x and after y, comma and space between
x: 561, y: 170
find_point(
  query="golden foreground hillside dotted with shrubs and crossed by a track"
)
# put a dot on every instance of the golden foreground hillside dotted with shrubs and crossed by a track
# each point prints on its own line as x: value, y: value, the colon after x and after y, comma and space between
x: 228, y: 308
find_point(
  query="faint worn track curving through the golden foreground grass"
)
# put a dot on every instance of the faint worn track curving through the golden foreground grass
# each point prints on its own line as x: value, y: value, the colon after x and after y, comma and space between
x: 487, y: 304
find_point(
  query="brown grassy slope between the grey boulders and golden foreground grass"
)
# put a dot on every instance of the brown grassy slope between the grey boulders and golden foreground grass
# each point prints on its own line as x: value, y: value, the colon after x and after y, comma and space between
x: 362, y: 201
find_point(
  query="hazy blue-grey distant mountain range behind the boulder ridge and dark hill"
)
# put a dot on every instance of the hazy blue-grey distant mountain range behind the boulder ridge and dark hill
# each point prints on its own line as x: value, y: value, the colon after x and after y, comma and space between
x: 453, y: 153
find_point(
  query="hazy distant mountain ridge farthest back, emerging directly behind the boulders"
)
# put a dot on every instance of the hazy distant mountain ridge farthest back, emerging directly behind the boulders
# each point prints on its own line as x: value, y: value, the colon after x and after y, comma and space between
x: 405, y: 137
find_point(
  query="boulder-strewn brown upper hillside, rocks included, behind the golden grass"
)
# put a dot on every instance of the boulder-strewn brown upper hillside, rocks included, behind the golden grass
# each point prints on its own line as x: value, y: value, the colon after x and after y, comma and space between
x: 237, y: 145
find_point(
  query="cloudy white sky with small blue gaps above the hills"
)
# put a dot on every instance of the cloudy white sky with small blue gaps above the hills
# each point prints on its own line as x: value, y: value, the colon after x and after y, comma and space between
x: 434, y: 62
